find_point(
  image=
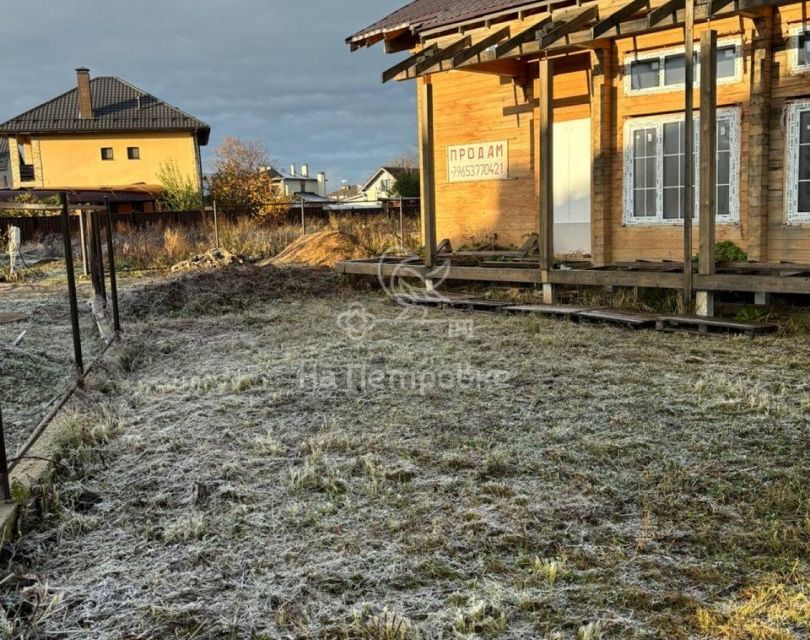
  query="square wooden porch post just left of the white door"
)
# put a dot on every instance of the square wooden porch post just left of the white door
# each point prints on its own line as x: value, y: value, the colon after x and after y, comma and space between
x: 545, y: 167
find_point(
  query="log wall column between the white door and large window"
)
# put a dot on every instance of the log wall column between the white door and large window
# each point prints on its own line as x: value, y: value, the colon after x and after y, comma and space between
x: 601, y: 155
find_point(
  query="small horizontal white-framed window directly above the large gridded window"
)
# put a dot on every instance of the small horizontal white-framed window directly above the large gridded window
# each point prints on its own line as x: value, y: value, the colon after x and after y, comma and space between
x: 664, y: 69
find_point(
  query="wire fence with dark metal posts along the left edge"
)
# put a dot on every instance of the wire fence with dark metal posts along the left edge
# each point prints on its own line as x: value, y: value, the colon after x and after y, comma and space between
x: 51, y: 351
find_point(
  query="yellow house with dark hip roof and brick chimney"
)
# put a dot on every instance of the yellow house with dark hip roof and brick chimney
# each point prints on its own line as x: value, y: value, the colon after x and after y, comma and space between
x: 105, y: 134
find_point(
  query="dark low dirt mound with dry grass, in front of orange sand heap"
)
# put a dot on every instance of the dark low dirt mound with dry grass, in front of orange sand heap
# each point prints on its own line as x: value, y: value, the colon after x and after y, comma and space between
x: 230, y: 289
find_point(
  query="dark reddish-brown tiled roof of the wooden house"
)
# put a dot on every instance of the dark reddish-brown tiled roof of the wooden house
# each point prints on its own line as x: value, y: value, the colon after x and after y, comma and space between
x: 422, y: 15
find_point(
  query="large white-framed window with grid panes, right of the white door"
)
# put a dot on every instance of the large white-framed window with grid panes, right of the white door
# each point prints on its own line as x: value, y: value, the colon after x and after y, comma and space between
x: 654, y: 168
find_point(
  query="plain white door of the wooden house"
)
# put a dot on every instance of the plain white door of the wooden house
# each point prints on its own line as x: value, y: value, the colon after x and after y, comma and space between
x: 572, y: 186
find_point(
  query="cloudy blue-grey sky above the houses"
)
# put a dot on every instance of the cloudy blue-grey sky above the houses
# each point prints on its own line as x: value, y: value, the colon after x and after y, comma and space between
x: 274, y: 71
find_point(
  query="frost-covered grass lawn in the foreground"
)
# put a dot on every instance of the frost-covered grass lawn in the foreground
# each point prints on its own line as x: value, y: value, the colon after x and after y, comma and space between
x: 621, y: 485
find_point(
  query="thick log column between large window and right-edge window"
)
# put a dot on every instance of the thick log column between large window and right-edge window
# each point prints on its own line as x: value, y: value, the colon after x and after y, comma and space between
x: 759, y: 135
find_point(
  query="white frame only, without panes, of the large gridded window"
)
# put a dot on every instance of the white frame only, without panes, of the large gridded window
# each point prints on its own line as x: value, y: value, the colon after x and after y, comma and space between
x: 733, y: 113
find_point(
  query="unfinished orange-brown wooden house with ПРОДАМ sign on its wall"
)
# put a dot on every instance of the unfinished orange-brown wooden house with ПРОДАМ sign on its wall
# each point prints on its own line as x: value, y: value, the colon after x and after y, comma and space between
x: 570, y: 120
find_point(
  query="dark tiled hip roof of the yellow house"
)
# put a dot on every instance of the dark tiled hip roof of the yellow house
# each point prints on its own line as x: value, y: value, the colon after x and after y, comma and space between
x: 117, y: 106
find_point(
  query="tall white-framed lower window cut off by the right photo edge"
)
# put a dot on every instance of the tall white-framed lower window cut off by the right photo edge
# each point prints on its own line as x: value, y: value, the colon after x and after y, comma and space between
x: 797, y: 174
